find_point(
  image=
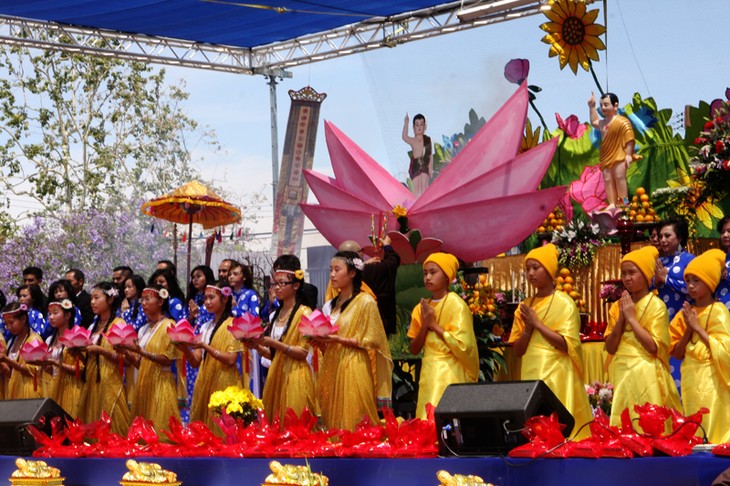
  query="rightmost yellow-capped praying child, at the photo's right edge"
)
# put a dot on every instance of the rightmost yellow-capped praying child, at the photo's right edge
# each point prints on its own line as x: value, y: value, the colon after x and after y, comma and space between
x: 700, y: 336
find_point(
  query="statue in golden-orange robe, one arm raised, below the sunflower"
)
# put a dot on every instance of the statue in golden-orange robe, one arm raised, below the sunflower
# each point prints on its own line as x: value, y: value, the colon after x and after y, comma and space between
x: 617, y: 147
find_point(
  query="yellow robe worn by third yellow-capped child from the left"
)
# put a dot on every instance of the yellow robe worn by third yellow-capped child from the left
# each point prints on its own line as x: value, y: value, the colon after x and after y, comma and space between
x: 638, y: 376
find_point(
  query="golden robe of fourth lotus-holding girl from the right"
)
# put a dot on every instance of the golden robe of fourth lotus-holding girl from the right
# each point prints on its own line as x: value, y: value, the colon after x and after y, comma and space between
x: 156, y: 391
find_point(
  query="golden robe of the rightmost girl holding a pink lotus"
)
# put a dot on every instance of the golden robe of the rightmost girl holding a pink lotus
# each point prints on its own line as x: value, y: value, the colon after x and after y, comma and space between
x: 350, y: 383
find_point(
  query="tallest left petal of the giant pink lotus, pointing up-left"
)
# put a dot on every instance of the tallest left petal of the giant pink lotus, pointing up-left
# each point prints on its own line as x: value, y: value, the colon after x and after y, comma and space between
x: 357, y: 172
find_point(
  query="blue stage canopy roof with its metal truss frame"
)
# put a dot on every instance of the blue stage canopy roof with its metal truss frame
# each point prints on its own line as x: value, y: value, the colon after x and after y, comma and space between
x: 249, y: 38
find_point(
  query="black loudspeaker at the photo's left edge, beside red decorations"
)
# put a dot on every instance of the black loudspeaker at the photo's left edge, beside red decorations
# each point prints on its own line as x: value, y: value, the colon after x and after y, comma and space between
x: 15, y: 415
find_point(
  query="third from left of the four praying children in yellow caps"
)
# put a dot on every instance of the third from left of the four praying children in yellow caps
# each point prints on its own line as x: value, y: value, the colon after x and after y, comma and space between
x: 638, y: 338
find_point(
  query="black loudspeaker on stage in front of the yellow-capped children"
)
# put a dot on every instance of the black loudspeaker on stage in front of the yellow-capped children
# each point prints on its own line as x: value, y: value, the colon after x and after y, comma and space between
x: 480, y: 419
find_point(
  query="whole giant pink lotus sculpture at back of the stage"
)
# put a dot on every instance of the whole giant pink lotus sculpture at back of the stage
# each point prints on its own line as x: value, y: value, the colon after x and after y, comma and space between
x: 485, y: 189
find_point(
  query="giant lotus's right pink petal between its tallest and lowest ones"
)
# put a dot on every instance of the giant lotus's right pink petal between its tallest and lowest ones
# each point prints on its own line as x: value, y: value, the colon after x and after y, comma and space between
x: 521, y: 174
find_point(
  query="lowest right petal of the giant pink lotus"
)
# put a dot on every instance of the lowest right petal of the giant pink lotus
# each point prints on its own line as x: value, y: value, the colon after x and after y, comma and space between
x: 487, y: 228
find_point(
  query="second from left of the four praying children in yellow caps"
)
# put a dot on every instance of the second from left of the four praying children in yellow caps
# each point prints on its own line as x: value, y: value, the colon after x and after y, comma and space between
x: 546, y: 335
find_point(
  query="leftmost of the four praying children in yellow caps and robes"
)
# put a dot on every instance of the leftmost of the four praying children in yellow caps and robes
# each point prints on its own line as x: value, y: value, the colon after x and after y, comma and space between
x: 444, y: 328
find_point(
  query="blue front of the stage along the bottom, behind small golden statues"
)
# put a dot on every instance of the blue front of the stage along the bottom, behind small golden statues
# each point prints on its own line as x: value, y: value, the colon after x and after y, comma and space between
x: 698, y: 469
